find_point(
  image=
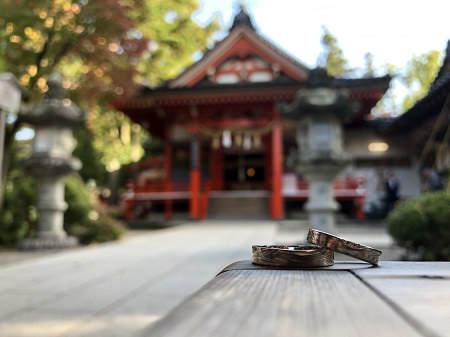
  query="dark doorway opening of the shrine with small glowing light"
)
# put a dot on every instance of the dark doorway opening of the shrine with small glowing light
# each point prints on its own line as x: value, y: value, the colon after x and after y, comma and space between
x: 244, y: 171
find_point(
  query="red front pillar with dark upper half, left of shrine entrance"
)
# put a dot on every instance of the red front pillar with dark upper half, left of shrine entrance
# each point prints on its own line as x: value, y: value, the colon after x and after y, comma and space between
x: 195, y: 177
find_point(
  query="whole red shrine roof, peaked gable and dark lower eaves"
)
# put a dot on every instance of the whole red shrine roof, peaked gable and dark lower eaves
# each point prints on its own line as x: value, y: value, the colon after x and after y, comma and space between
x: 243, y: 70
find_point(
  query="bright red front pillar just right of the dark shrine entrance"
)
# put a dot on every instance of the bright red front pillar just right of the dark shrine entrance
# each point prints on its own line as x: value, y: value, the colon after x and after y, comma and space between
x: 277, y: 172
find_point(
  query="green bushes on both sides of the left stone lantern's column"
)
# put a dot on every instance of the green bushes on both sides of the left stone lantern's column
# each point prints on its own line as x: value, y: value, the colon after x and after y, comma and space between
x: 81, y: 219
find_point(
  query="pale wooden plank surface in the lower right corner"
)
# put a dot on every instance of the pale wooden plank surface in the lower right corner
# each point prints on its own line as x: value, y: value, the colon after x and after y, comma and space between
x: 420, y: 291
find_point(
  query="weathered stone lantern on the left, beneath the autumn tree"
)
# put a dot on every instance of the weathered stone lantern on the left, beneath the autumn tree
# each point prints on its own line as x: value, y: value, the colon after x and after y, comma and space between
x: 53, y: 119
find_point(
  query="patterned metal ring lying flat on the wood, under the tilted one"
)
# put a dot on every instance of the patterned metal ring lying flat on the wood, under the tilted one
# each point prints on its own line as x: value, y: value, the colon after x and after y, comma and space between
x: 301, y: 256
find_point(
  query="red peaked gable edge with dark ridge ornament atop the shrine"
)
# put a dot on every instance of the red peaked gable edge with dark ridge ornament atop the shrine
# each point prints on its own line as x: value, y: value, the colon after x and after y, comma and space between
x: 241, y: 41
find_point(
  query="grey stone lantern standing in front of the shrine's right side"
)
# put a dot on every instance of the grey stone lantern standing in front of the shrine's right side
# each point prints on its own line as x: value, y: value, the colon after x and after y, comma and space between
x: 320, y: 111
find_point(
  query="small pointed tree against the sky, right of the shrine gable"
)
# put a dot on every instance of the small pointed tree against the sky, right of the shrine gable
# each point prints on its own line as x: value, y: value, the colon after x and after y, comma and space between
x: 332, y: 57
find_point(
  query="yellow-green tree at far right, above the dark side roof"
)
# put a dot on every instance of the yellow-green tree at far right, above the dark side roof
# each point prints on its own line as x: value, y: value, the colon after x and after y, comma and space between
x: 418, y: 76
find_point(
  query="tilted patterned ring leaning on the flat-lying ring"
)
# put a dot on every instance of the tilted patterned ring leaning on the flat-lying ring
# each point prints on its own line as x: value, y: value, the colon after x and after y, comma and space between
x: 353, y: 249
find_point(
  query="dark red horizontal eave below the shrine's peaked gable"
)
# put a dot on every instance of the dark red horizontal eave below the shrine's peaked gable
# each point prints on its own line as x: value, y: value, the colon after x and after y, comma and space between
x: 157, y: 107
